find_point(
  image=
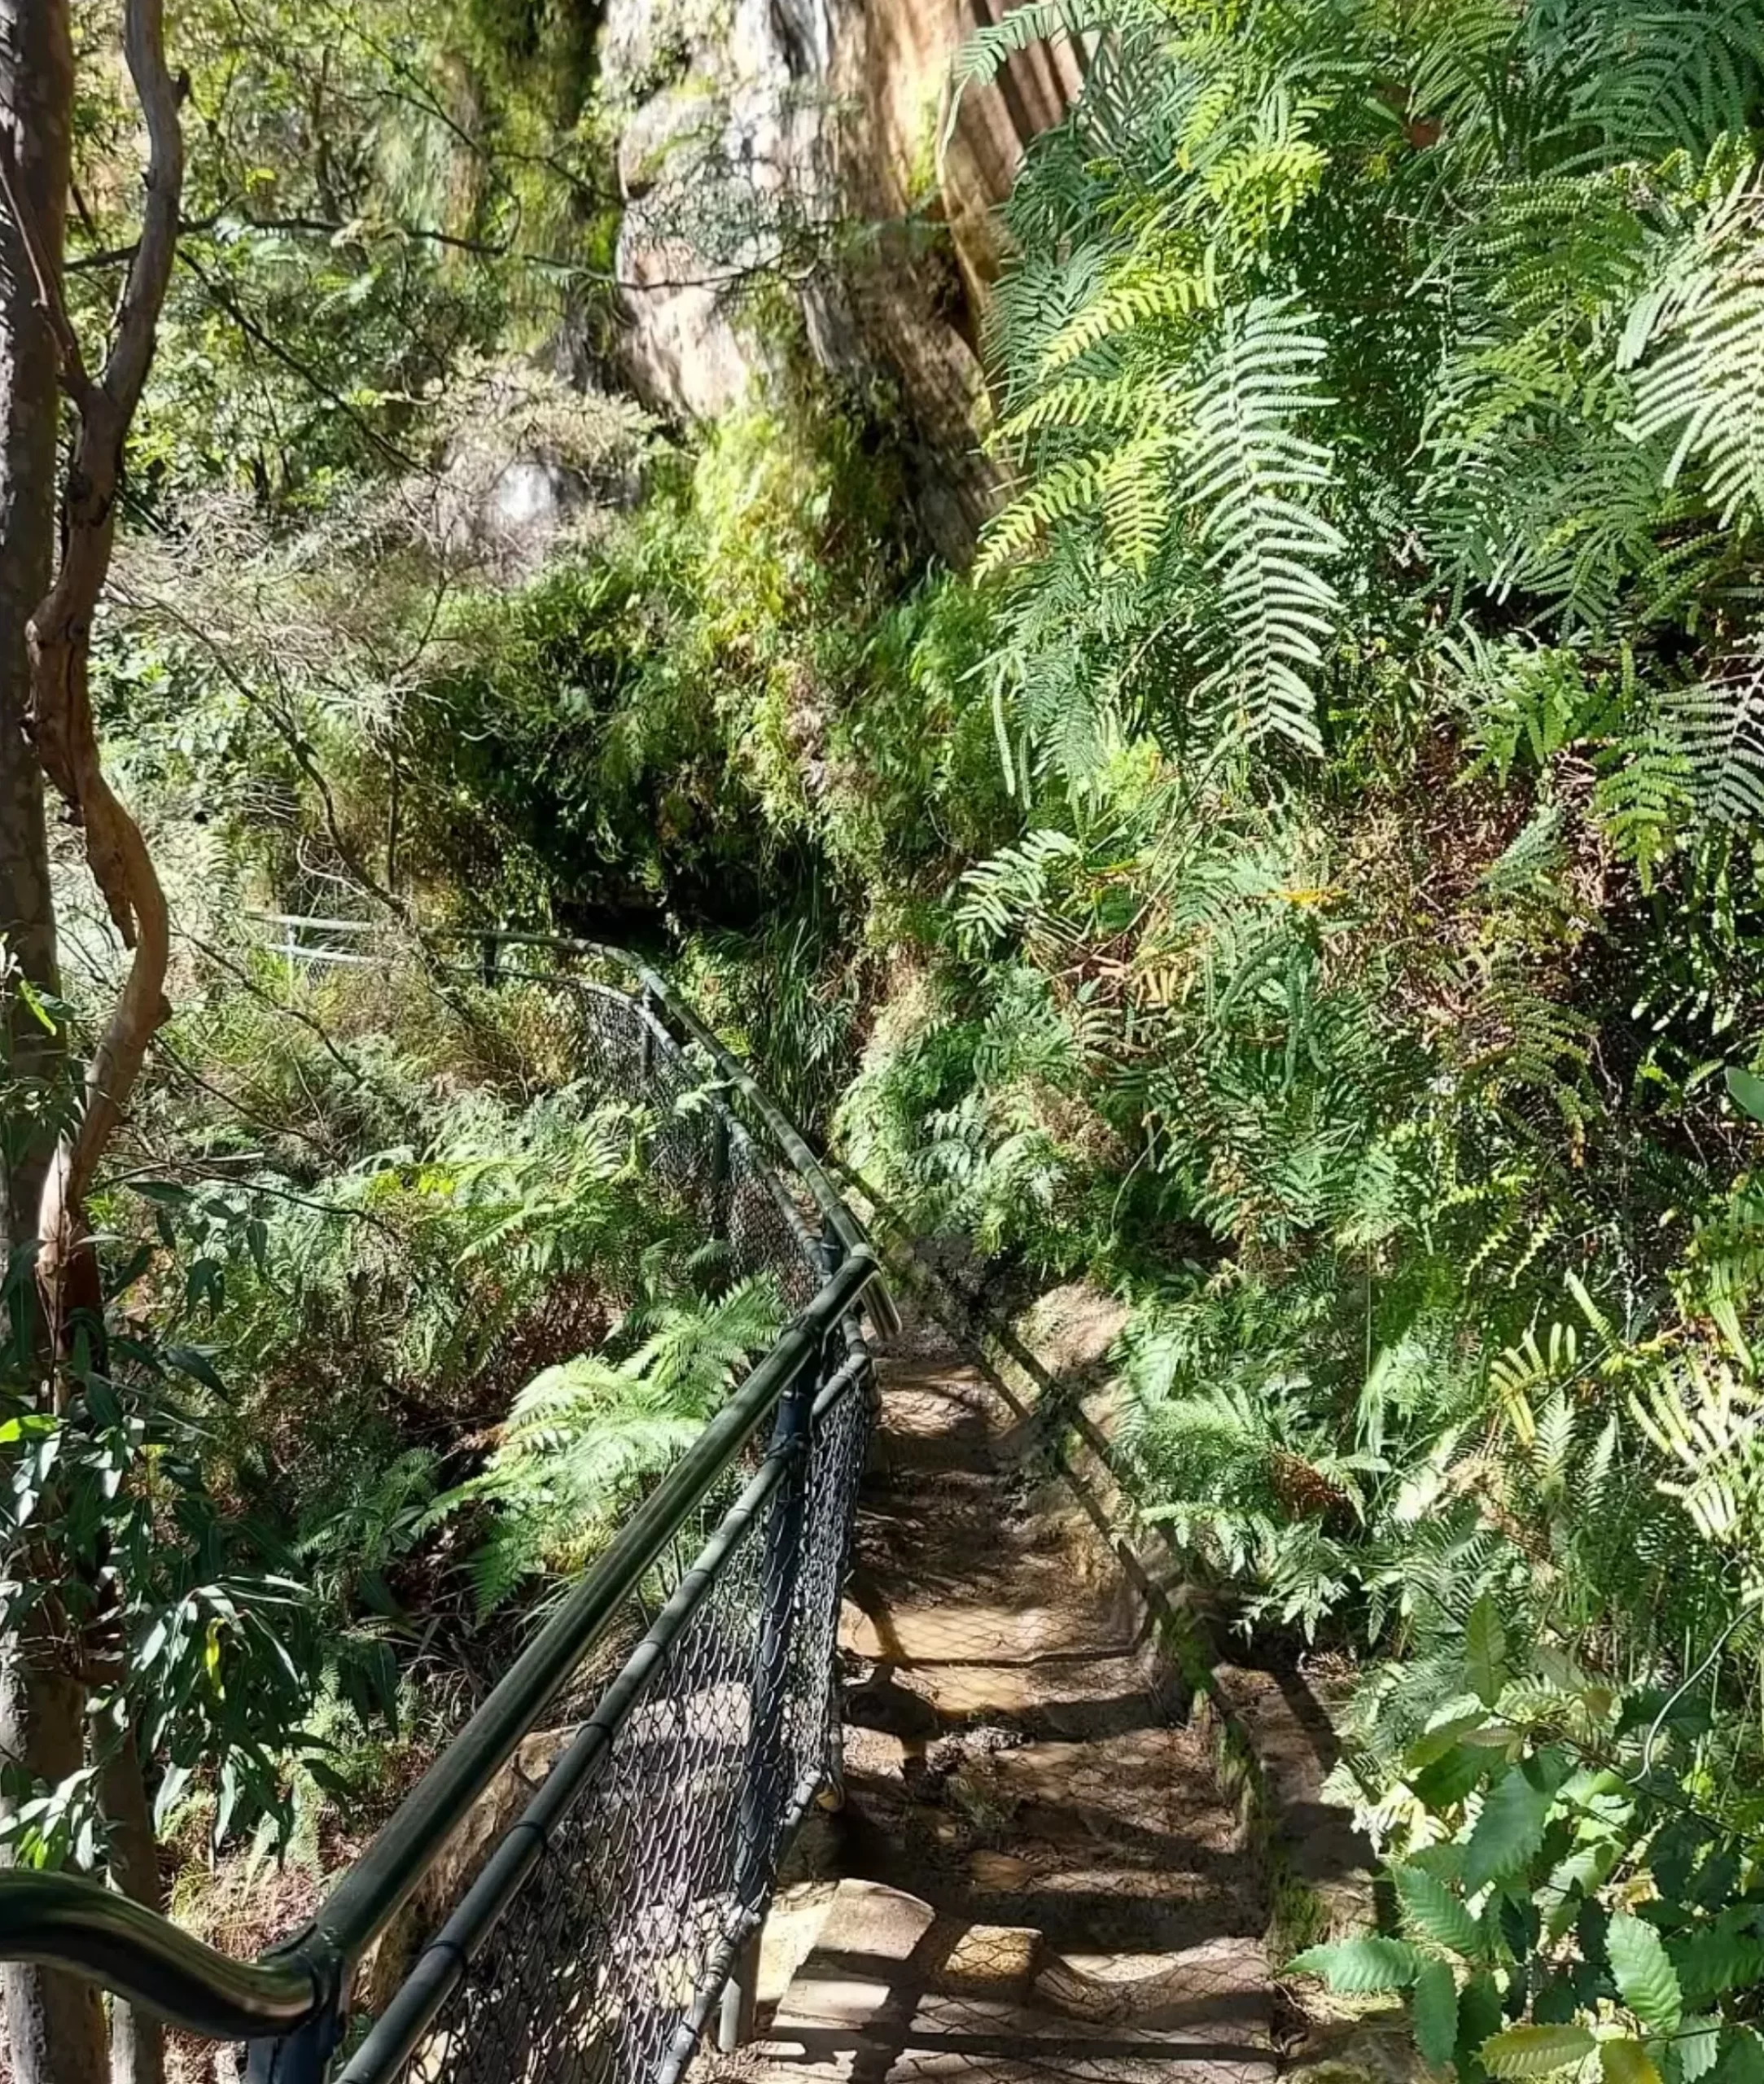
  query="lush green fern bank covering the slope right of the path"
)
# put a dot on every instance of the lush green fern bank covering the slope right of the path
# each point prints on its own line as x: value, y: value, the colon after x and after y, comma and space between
x: 1369, y: 991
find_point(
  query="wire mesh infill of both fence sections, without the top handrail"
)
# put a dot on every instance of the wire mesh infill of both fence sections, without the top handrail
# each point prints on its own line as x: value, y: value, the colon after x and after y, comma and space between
x: 597, y: 1937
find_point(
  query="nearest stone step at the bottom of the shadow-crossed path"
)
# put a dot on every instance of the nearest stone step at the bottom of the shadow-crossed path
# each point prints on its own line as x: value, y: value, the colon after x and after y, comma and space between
x: 898, y: 1995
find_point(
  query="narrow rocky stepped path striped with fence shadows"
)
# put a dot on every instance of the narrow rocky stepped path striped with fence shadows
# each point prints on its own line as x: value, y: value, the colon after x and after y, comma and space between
x: 1044, y: 1879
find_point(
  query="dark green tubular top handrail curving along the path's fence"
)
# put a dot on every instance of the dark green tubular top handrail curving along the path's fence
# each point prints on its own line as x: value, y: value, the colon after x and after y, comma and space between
x: 84, y: 1929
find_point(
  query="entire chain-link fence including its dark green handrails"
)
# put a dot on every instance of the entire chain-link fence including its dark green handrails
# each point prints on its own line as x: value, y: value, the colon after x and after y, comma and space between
x: 664, y: 1731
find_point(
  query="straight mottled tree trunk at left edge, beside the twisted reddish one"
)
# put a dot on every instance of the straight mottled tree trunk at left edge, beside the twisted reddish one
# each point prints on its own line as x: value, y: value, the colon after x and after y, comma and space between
x: 55, y: 2027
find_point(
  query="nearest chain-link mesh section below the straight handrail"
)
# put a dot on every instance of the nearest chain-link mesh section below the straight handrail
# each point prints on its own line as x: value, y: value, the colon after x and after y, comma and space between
x: 656, y: 1837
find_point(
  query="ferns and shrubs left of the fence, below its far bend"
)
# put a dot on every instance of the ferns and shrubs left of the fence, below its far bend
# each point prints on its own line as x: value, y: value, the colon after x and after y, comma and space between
x: 401, y: 1322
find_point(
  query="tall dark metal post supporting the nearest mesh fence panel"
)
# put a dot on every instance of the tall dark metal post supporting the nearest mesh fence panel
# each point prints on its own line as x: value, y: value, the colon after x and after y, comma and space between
x: 762, y: 1789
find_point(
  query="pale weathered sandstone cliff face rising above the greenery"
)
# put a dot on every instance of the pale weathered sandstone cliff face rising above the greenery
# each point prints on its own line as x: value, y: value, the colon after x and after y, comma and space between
x: 802, y: 145
